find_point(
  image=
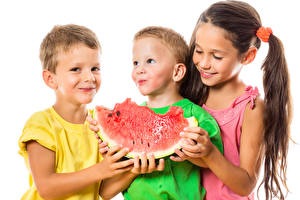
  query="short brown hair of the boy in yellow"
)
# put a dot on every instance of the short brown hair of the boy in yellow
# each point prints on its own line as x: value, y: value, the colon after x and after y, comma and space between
x: 61, y: 38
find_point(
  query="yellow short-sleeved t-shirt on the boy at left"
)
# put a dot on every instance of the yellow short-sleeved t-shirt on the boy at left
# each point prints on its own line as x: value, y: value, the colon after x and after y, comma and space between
x: 75, y: 147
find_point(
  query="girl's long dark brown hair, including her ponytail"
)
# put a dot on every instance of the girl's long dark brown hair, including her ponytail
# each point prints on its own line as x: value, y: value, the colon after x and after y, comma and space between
x: 241, y: 21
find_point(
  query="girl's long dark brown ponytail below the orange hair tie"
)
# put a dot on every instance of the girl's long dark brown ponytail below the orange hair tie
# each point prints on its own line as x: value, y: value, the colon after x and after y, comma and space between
x: 277, y: 117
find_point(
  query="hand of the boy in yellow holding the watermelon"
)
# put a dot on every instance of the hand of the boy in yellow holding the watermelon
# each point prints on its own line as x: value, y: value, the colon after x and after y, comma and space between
x: 111, y: 166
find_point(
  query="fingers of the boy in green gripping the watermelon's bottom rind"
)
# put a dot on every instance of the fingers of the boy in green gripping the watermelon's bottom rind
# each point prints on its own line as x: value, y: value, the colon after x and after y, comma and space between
x: 147, y: 166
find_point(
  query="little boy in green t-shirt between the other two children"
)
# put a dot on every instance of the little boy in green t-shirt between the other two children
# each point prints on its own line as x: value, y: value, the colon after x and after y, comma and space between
x: 159, y: 64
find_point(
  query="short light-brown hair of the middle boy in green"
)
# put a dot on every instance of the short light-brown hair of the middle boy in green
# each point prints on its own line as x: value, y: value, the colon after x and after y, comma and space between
x: 173, y: 40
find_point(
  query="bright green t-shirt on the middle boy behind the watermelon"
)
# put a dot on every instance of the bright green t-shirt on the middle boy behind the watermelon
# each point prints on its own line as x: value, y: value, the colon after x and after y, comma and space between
x: 179, y: 180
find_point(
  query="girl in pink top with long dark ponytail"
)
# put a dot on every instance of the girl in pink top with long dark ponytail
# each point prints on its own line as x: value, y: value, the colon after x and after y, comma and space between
x: 226, y: 38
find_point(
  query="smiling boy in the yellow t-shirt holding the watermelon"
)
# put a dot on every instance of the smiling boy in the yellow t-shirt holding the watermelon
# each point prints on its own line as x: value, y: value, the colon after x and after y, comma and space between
x: 60, y: 150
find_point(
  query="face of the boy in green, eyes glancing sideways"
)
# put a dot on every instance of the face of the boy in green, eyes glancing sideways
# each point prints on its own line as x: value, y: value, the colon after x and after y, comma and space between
x: 153, y: 66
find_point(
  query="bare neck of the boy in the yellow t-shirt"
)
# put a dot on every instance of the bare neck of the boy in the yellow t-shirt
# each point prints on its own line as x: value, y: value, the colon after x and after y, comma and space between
x: 75, y: 114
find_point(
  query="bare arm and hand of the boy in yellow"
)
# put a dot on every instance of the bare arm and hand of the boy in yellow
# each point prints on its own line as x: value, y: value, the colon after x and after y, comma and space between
x: 52, y: 185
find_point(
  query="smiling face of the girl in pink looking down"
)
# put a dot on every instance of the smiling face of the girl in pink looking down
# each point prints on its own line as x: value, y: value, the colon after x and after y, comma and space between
x: 214, y: 56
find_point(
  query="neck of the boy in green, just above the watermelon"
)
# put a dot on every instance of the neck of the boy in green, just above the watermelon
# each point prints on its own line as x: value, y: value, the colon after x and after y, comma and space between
x: 162, y: 100
